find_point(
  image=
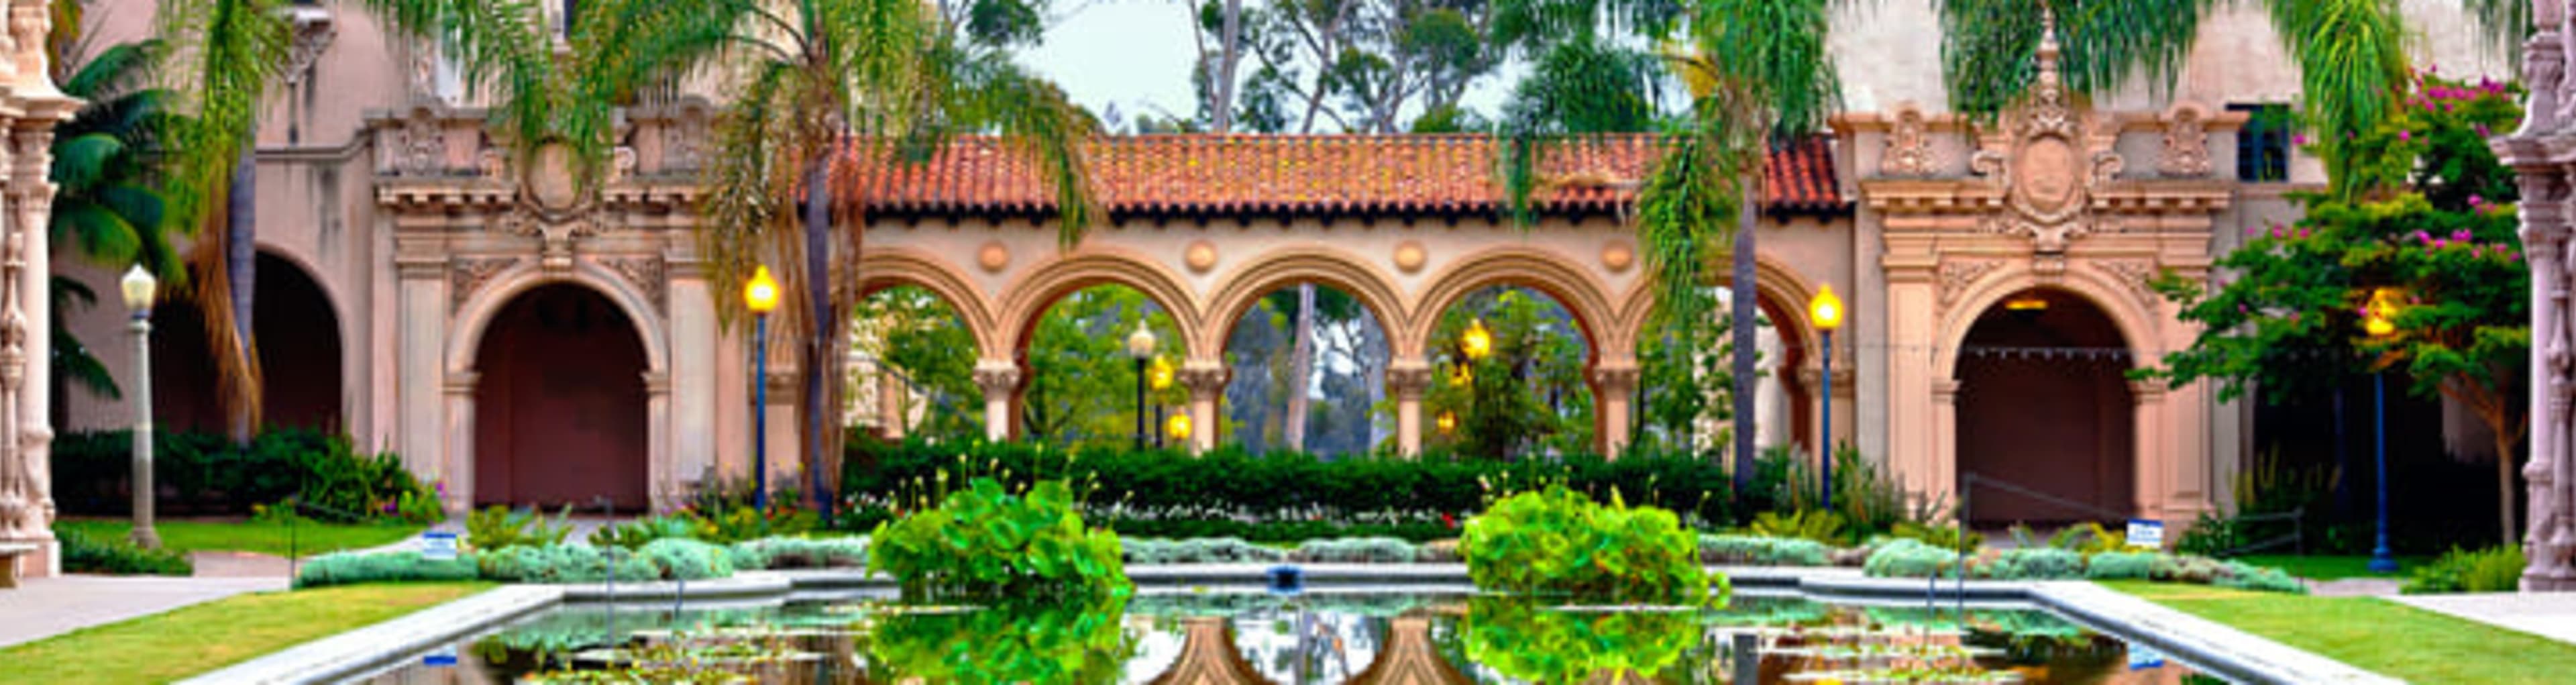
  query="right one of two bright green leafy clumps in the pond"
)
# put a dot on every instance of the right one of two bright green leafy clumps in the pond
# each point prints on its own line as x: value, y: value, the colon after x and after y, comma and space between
x: 1560, y: 542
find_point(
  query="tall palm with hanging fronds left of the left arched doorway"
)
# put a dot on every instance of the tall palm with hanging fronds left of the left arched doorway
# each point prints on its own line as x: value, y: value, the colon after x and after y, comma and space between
x: 231, y: 53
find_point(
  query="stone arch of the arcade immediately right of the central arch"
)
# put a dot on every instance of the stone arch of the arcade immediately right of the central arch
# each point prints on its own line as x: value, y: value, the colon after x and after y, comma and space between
x: 1544, y: 272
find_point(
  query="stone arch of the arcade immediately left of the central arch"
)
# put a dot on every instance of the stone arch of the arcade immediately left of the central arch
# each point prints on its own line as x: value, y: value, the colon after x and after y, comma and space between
x: 1032, y: 295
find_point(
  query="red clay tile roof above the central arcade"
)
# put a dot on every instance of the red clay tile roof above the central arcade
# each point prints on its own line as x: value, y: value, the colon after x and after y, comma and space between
x: 1307, y: 176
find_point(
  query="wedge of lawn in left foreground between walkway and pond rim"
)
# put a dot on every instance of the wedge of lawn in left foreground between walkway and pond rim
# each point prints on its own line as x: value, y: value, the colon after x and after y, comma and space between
x: 215, y: 635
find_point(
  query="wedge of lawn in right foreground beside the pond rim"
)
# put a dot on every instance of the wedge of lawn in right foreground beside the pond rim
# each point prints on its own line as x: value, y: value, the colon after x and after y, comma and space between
x: 2374, y: 635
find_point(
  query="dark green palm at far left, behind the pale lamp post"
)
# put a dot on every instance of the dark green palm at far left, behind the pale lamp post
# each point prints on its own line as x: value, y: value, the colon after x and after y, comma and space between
x: 109, y: 205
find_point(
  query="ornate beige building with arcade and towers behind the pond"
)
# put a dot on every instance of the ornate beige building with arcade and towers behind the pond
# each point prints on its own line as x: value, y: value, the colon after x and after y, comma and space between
x: 532, y: 341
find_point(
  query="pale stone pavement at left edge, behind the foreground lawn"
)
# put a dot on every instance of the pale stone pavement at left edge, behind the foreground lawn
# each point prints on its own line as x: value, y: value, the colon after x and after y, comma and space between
x: 50, y: 606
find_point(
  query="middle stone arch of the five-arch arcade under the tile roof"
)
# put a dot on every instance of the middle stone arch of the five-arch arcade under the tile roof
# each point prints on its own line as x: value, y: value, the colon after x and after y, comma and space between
x: 1305, y: 264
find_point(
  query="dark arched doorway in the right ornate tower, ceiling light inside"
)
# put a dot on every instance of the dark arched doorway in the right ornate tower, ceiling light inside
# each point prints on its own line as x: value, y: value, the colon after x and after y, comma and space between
x: 2044, y: 406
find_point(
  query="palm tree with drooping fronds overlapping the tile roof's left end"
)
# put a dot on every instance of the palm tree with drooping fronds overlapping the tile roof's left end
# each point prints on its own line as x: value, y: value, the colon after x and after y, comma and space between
x: 828, y: 91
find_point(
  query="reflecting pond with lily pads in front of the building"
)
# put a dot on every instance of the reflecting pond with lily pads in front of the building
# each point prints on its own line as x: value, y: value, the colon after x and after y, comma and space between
x: 1253, y: 637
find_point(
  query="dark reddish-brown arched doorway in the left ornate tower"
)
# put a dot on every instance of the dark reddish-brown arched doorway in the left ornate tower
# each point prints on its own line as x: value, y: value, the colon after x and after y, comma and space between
x: 560, y: 403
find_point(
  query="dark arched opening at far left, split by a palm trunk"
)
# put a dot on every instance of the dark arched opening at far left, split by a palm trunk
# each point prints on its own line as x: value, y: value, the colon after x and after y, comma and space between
x: 298, y: 331
